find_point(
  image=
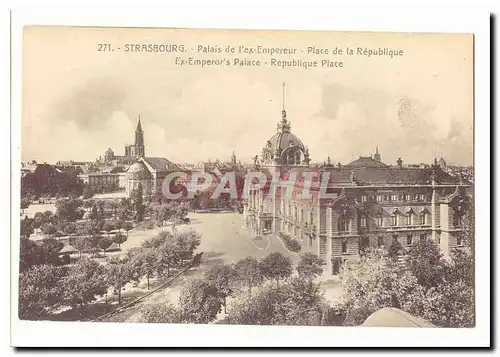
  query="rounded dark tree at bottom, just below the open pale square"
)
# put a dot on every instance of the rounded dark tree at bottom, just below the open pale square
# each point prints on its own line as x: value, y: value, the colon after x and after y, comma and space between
x: 199, y: 302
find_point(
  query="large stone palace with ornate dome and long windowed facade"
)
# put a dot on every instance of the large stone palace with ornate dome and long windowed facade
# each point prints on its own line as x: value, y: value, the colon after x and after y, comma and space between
x: 366, y: 203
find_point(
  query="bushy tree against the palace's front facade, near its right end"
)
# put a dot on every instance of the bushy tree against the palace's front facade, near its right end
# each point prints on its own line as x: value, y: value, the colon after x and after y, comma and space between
x: 426, y: 263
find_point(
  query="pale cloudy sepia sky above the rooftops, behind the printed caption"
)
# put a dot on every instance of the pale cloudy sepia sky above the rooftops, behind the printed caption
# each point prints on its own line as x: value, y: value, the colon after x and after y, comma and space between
x: 78, y: 101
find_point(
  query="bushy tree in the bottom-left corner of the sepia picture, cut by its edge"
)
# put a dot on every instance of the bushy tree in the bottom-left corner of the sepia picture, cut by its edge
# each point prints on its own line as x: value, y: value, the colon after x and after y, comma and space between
x: 40, y: 290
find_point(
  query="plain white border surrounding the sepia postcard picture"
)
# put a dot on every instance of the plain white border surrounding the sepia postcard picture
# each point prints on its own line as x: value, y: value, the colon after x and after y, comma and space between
x: 421, y: 18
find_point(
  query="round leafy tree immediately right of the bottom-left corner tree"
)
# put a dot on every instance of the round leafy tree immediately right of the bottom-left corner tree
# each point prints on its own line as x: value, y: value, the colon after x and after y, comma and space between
x: 85, y: 280
